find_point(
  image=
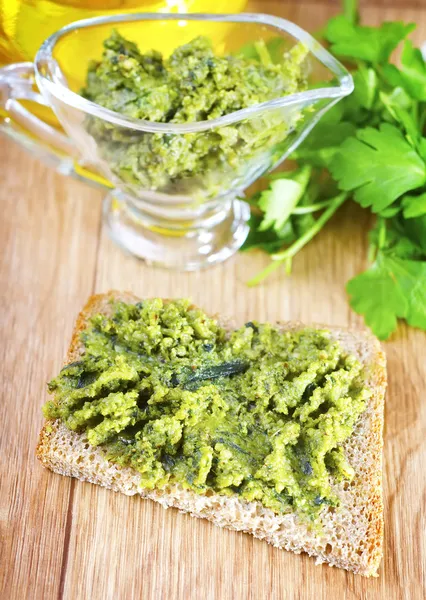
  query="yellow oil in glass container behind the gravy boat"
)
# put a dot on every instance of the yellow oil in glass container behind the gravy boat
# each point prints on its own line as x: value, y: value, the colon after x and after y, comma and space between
x: 24, y: 24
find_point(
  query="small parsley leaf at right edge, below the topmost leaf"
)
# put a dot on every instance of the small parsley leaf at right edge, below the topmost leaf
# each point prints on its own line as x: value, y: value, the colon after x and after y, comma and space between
x: 411, y: 75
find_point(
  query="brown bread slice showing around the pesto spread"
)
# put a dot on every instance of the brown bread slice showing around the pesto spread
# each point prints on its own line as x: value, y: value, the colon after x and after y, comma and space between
x: 351, y: 536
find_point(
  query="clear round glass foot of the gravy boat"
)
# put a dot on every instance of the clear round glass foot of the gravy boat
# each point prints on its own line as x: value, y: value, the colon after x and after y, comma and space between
x: 189, y: 247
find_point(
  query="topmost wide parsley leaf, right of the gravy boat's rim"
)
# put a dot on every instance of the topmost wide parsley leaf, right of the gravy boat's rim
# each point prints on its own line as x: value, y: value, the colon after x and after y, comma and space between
x: 372, y: 44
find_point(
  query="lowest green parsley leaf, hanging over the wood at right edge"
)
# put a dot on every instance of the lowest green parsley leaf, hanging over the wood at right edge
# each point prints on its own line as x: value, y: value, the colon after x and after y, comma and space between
x: 391, y: 288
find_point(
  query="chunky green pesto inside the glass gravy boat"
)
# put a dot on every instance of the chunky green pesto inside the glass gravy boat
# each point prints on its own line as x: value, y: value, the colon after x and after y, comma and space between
x: 193, y: 84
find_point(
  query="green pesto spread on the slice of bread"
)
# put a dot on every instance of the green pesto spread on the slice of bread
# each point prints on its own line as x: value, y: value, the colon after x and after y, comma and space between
x: 258, y: 413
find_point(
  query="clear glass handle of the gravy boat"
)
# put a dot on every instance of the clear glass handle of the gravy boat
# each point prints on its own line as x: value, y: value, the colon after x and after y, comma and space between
x: 49, y: 144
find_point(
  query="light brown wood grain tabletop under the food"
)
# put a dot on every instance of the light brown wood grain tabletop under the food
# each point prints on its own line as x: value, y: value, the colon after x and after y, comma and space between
x: 61, y: 538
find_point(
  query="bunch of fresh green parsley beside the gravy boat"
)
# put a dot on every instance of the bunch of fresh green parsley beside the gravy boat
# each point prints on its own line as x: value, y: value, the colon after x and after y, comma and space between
x: 370, y: 147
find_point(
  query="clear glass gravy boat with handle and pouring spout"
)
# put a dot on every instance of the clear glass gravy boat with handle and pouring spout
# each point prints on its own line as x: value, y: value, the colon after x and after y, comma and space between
x: 182, y: 223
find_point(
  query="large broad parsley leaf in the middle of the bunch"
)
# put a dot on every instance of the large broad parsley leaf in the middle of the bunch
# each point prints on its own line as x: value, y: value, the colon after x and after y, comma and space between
x: 379, y: 165
